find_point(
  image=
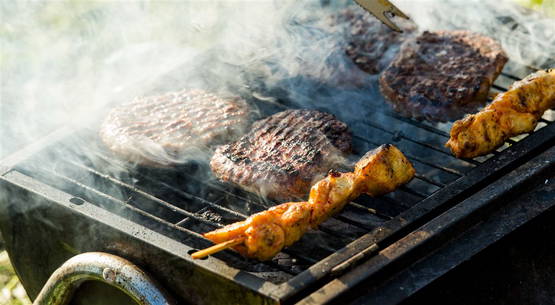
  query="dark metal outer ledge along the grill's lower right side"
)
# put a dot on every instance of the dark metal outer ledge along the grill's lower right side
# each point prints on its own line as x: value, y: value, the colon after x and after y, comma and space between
x: 450, y: 239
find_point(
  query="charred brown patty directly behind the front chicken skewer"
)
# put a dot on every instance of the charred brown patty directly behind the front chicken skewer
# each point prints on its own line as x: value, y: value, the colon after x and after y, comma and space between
x: 283, y: 154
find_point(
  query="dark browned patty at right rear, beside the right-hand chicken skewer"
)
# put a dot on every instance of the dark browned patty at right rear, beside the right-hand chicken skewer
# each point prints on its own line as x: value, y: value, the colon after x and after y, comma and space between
x: 442, y: 75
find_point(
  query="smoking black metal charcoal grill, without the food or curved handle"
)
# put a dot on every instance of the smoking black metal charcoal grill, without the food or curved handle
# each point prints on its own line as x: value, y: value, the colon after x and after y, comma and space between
x: 381, y: 248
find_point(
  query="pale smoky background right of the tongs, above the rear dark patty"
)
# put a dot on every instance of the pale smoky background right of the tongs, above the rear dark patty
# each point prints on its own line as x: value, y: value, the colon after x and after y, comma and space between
x: 528, y: 36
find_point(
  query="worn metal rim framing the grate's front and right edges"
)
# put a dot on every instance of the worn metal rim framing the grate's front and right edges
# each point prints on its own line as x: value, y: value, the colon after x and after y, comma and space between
x: 235, y: 281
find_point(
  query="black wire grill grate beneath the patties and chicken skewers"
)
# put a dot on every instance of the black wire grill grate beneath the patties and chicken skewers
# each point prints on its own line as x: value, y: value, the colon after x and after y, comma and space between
x: 184, y: 202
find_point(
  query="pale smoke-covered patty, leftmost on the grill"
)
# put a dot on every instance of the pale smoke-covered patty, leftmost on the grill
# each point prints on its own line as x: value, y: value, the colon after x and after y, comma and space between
x: 166, y: 129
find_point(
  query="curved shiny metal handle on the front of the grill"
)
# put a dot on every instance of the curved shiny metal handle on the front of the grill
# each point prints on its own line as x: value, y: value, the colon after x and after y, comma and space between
x: 107, y: 268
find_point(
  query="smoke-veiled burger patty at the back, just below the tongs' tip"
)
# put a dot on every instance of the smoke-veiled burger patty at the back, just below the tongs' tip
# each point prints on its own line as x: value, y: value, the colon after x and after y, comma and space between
x: 371, y: 45
